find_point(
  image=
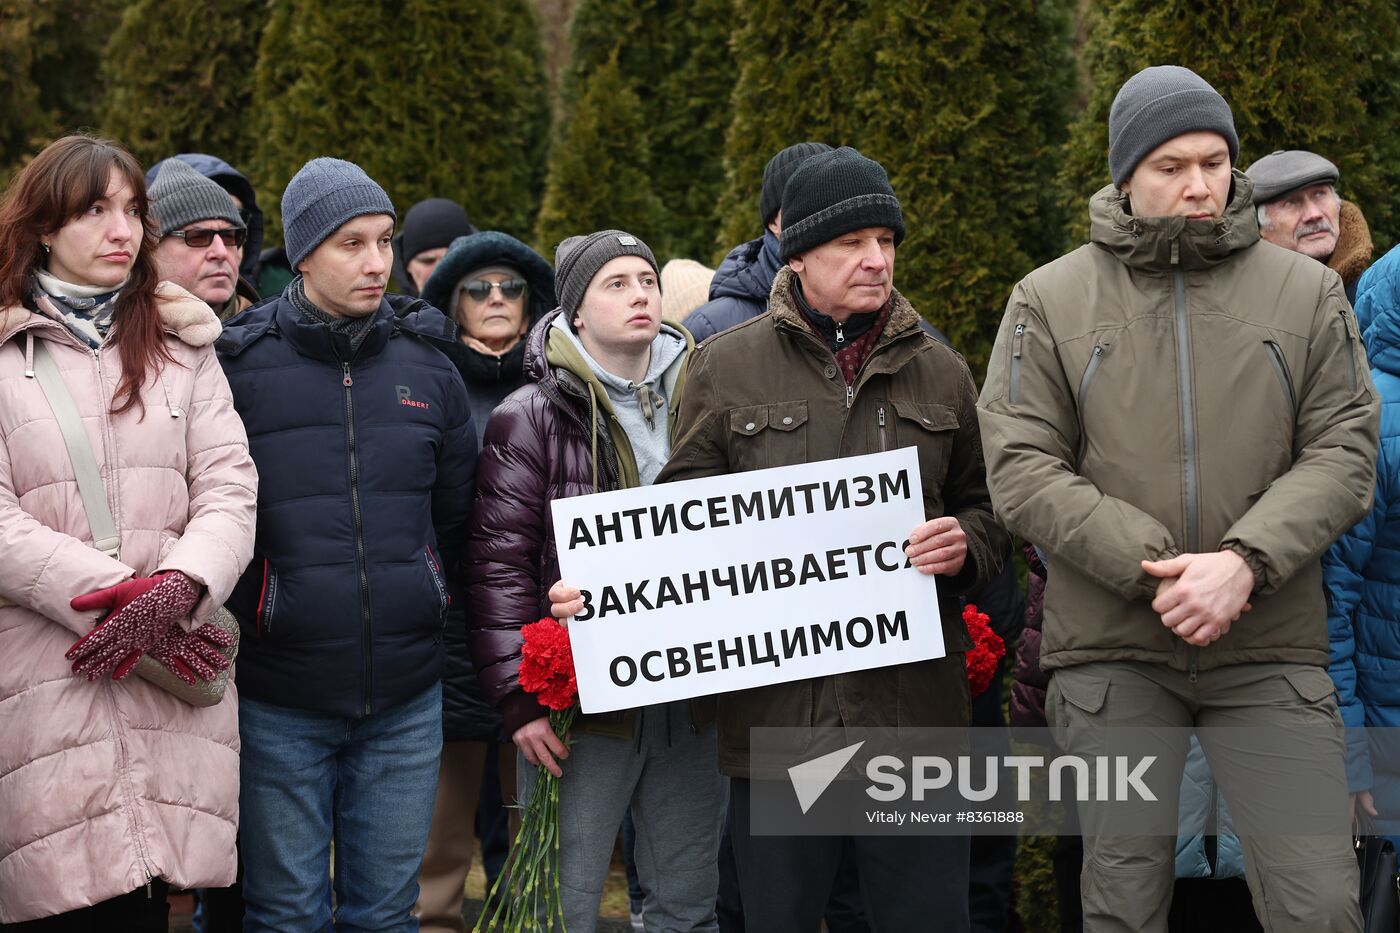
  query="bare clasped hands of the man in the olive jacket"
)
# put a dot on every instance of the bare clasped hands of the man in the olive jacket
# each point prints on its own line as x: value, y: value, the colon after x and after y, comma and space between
x: 1200, y: 596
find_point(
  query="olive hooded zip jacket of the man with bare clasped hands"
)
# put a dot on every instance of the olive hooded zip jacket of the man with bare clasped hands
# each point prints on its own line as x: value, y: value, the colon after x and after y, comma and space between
x: 1179, y: 386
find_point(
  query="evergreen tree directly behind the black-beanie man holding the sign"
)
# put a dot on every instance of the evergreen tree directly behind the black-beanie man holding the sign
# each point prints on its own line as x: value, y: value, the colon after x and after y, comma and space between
x: 962, y: 103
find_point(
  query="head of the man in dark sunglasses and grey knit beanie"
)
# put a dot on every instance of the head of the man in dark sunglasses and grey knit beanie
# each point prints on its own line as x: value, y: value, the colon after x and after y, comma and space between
x: 202, y: 236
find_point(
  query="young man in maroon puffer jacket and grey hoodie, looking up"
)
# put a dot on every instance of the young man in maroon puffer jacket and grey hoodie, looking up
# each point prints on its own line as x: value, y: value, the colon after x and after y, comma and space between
x: 605, y: 379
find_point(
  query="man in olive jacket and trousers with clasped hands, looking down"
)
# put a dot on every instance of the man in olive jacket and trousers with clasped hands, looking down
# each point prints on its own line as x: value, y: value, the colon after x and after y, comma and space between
x: 1181, y: 418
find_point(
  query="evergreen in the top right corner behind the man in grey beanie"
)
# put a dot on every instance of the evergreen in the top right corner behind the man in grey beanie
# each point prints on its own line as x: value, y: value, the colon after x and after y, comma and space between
x: 1324, y: 76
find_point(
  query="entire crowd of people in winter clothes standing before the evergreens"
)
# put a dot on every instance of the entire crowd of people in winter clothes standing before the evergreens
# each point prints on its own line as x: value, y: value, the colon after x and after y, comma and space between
x: 1186, y: 422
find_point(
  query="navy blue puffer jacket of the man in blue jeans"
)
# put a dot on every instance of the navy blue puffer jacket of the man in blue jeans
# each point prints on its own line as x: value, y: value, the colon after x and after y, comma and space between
x: 365, y: 480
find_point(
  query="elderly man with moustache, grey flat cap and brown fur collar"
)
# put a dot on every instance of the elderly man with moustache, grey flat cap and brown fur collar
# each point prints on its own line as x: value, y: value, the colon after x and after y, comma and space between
x: 1300, y: 209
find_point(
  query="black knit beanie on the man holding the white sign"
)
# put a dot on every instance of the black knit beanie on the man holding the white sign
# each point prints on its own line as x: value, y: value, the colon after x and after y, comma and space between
x: 832, y: 194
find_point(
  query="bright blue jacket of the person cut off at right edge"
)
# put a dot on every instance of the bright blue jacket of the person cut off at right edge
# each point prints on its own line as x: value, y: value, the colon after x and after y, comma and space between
x: 1363, y: 569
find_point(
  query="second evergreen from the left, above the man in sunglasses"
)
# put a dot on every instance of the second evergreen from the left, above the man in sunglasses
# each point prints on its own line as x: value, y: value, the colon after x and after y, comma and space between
x: 180, y: 78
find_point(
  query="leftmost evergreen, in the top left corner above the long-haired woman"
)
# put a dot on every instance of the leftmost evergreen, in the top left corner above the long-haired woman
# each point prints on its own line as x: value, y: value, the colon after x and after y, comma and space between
x: 48, y: 55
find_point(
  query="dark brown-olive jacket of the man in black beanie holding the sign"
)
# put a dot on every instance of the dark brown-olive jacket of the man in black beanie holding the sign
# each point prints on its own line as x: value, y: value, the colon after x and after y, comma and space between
x: 768, y: 393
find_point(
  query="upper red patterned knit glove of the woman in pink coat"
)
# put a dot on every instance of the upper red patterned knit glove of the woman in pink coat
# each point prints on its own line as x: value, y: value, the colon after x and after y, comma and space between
x: 139, y: 613
